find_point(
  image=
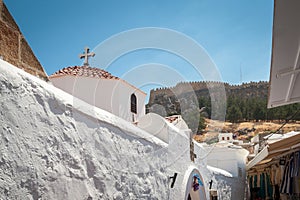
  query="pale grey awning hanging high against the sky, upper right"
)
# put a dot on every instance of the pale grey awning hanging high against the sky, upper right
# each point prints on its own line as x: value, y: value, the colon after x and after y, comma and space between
x: 285, y: 61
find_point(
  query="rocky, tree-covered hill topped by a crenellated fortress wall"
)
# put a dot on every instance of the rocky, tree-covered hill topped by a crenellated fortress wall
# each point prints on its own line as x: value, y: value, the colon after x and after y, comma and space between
x: 244, y: 102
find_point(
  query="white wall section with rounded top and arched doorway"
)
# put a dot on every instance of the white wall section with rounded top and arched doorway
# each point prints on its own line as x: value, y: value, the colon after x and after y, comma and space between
x: 178, y: 159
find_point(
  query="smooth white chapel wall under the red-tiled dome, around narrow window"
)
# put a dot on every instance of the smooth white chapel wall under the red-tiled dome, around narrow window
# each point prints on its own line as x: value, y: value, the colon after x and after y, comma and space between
x: 108, y: 94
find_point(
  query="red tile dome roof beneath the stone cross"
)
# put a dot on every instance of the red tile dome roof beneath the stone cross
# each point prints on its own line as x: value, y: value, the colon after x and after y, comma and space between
x: 84, y: 71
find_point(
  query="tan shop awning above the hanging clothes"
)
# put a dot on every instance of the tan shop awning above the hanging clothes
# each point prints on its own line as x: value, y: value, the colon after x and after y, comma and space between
x: 275, y: 150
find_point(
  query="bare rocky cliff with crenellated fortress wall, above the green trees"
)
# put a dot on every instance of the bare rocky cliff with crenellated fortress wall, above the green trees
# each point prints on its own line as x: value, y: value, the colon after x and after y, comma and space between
x: 173, y: 98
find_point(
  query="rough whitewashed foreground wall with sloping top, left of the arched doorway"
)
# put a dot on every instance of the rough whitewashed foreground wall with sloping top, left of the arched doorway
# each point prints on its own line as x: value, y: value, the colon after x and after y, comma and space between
x: 55, y: 147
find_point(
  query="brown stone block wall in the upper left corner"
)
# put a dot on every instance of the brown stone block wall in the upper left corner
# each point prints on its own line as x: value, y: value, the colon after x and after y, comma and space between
x: 14, y: 48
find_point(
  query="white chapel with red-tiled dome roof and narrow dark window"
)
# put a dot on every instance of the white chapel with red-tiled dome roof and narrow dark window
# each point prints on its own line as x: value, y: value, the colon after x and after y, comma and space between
x: 101, y: 89
